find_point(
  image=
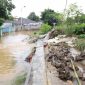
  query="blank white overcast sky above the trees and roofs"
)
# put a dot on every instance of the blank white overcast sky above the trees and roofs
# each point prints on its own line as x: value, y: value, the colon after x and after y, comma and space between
x: 38, y: 6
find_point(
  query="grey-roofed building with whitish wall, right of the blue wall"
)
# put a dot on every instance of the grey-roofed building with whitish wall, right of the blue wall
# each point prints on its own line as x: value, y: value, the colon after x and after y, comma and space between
x: 26, y: 24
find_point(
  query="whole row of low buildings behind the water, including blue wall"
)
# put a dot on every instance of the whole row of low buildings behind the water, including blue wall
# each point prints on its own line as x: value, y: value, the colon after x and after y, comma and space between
x: 11, y: 26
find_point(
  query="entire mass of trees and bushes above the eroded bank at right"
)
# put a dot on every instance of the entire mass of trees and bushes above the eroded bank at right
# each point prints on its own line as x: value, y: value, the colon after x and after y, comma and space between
x: 70, y: 23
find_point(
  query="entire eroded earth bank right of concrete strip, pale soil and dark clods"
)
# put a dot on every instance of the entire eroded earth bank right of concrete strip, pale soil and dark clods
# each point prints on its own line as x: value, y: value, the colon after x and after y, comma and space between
x: 64, y: 57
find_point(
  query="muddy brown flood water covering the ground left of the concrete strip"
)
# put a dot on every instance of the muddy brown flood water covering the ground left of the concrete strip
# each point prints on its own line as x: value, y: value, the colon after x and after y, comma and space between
x: 13, y: 51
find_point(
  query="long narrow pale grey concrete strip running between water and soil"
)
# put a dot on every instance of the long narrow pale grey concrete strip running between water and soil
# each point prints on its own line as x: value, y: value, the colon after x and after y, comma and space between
x: 38, y: 65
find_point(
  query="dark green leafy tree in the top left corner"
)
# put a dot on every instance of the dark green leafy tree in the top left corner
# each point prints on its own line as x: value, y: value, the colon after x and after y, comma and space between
x: 6, y: 7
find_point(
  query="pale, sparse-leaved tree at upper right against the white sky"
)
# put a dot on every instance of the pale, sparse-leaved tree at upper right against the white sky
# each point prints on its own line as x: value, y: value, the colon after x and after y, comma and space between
x: 72, y: 14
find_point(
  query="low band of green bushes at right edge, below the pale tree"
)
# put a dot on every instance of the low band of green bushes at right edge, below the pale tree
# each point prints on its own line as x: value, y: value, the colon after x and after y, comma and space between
x: 73, y: 29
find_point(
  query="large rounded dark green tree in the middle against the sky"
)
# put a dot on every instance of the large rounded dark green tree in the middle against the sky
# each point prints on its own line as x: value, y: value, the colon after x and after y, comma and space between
x: 50, y: 17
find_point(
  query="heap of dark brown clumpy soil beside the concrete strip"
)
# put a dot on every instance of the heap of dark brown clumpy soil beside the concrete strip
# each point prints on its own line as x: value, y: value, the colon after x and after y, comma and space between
x: 60, y: 56
